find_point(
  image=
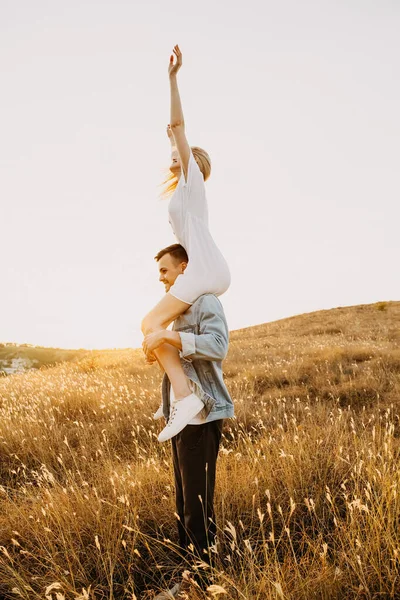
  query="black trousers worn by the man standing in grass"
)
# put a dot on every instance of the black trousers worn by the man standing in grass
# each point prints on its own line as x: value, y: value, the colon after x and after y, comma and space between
x: 194, y: 453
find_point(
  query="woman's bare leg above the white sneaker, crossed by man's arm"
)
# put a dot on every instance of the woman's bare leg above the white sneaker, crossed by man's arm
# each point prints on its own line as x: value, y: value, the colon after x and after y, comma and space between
x: 166, y: 311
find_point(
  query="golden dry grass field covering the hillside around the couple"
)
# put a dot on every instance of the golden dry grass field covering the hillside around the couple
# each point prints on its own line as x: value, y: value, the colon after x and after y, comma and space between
x: 307, y: 502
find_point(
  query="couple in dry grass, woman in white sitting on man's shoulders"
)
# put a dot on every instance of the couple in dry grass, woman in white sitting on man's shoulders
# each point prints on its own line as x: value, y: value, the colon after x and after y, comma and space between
x: 195, y: 400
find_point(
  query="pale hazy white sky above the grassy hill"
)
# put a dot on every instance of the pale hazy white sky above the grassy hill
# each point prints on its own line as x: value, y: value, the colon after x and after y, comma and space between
x: 297, y: 104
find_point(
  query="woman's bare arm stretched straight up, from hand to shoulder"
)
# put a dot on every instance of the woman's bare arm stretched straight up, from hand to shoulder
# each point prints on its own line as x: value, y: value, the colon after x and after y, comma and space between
x: 177, y: 121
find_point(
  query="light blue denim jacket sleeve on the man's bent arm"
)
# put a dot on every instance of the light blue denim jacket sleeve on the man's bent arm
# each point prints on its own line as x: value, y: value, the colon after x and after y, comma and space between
x: 213, y: 339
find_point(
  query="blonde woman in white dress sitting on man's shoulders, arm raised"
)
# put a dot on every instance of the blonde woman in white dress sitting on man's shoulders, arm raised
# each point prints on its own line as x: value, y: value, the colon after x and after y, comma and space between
x: 207, y: 270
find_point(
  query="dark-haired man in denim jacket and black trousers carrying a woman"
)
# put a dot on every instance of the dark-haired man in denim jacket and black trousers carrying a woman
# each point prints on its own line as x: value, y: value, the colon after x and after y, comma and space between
x: 201, y: 335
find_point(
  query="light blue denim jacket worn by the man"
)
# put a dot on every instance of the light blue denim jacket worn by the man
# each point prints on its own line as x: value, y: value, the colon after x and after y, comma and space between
x: 205, y: 338
